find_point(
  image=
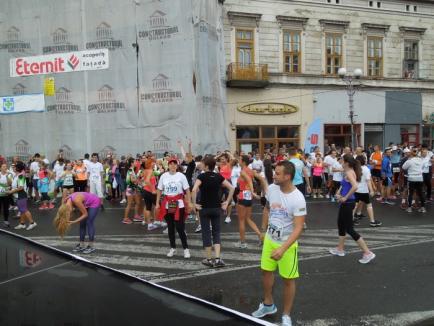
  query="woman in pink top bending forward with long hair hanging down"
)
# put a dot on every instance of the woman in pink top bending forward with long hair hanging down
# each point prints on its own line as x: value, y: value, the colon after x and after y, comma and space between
x: 88, y: 206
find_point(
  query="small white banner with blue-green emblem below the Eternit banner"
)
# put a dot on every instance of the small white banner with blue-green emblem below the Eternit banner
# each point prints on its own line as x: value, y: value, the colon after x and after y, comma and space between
x: 22, y: 103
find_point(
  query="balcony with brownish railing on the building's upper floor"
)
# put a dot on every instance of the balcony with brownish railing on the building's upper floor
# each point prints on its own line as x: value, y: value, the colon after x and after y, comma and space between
x: 247, y: 75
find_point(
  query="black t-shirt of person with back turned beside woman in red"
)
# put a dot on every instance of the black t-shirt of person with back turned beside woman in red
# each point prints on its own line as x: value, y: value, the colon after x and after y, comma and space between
x: 210, y: 189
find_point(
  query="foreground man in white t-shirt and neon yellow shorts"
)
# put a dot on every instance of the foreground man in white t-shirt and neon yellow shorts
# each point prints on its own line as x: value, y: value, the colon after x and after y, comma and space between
x: 283, y: 220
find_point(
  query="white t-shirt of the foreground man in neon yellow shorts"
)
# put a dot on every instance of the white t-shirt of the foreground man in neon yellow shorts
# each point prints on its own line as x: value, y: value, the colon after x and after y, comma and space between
x: 283, y: 209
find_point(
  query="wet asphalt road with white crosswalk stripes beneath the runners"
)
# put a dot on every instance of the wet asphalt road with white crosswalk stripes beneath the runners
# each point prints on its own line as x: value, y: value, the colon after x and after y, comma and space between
x: 395, y: 289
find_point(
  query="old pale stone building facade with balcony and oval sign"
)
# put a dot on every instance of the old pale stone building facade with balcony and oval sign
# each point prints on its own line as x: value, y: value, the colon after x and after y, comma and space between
x: 283, y: 59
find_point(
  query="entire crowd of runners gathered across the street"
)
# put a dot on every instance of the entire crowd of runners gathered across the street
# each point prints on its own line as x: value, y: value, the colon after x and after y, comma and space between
x: 162, y: 193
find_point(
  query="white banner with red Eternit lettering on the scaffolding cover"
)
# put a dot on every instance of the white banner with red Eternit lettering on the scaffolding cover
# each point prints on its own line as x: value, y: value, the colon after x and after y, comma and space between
x: 59, y: 63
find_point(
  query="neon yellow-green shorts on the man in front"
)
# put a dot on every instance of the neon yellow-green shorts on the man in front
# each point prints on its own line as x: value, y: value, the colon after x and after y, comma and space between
x: 288, y: 264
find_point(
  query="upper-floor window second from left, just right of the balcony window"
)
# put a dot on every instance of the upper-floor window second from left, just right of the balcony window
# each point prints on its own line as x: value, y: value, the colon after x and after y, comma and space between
x: 292, y: 51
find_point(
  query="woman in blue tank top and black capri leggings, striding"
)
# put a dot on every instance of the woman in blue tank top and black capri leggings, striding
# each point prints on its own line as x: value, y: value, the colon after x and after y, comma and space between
x: 345, y: 197
